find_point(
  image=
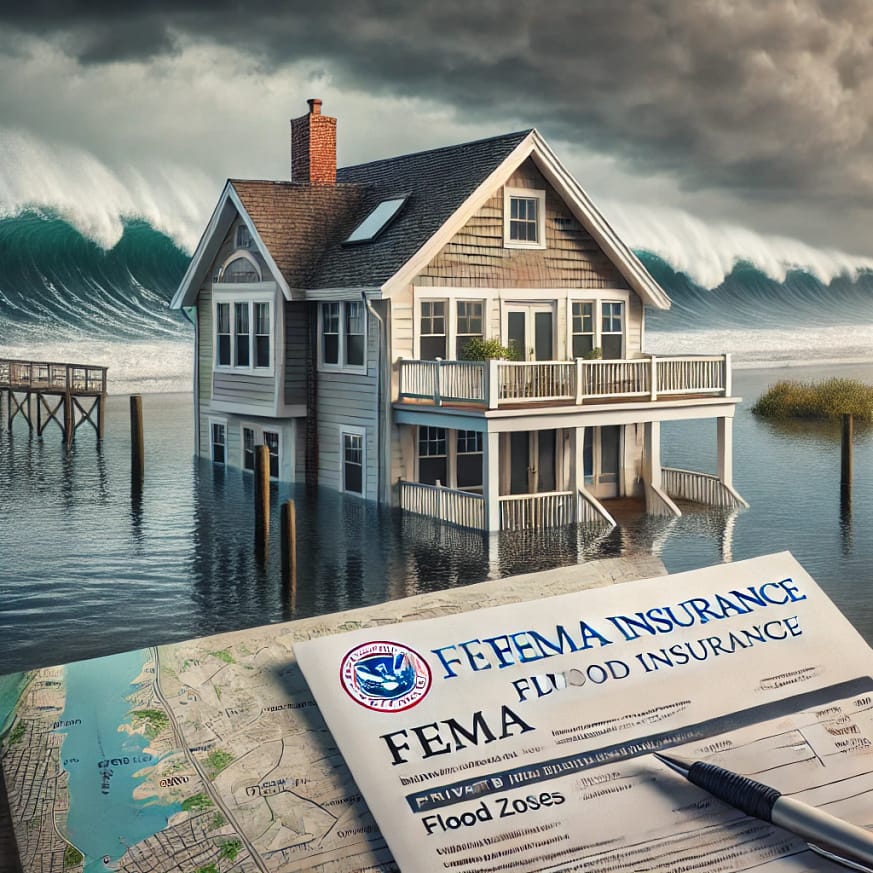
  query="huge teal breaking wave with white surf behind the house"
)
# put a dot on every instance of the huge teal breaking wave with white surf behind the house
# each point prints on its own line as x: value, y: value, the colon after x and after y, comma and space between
x: 64, y: 297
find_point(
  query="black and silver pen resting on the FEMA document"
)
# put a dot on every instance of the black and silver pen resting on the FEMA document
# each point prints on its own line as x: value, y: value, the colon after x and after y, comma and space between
x: 829, y: 836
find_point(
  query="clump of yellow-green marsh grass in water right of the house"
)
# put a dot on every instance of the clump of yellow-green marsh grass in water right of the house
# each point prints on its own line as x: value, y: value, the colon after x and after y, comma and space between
x: 828, y: 399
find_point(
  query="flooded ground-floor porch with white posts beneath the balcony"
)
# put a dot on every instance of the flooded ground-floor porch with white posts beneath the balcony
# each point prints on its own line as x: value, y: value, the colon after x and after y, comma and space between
x: 534, y: 479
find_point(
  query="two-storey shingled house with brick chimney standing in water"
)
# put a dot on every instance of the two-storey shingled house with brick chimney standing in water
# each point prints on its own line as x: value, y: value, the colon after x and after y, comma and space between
x: 333, y: 312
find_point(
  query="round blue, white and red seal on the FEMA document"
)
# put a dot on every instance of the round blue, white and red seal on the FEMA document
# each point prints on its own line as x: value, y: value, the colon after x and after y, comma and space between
x: 385, y: 676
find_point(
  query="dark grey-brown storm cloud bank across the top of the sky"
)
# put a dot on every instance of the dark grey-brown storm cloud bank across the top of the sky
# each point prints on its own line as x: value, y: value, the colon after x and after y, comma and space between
x: 770, y: 100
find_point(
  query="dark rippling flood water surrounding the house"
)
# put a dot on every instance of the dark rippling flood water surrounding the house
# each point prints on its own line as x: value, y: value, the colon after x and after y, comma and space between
x: 90, y: 565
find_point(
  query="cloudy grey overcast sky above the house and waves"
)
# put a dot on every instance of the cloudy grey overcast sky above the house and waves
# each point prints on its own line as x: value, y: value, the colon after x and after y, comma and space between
x: 697, y: 114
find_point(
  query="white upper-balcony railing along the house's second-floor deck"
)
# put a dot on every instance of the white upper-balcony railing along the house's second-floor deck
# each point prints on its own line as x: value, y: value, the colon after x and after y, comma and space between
x: 501, y: 383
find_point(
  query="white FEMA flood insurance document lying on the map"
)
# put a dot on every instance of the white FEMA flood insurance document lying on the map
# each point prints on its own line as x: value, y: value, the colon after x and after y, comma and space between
x: 519, y: 737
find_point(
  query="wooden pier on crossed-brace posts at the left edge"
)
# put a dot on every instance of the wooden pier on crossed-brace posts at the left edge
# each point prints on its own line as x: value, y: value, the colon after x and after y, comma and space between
x: 68, y: 394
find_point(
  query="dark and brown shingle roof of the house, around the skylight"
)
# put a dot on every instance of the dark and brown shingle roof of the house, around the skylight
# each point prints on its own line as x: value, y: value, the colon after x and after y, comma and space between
x: 304, y: 225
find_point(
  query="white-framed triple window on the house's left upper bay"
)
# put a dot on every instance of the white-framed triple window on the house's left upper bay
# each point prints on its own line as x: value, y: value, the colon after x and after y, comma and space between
x: 243, y: 332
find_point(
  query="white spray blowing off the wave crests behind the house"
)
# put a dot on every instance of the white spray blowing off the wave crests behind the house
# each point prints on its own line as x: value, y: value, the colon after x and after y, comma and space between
x: 96, y: 199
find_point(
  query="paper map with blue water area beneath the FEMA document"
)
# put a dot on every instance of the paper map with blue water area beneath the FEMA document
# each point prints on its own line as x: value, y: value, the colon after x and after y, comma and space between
x: 210, y: 755
